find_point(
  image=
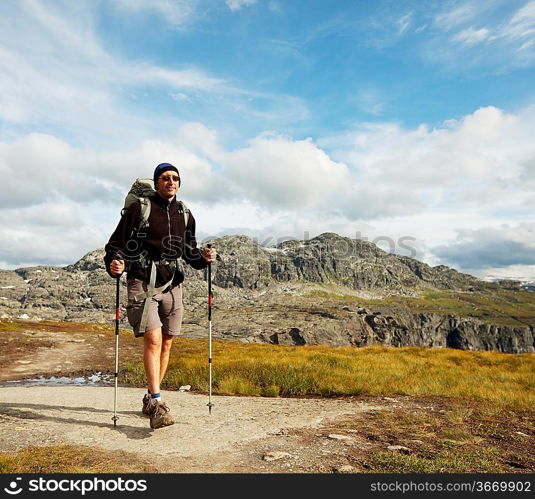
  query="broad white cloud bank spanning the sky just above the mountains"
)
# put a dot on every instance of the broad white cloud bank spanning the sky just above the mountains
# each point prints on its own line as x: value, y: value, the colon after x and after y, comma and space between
x: 382, y: 180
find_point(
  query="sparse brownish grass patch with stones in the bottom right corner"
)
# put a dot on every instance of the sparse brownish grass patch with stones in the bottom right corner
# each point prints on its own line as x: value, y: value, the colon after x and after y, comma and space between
x: 449, y: 436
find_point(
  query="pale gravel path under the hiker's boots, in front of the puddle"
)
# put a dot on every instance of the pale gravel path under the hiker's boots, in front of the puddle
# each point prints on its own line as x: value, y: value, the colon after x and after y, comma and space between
x: 236, y: 437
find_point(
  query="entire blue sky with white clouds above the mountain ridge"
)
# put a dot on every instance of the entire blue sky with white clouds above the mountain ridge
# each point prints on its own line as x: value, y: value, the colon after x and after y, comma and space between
x: 406, y: 123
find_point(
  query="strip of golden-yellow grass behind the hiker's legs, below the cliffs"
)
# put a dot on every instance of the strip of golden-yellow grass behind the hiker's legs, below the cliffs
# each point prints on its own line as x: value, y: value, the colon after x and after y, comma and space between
x: 258, y: 369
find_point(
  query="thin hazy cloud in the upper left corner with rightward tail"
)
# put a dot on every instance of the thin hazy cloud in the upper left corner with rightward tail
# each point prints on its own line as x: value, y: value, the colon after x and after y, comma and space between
x: 56, y: 72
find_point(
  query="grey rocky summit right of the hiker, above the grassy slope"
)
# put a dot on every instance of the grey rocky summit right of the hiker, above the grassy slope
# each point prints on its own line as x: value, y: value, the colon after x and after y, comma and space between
x: 329, y: 258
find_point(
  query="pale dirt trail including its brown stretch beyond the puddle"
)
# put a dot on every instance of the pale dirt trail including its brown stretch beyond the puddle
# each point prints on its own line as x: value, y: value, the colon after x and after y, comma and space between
x: 243, y: 434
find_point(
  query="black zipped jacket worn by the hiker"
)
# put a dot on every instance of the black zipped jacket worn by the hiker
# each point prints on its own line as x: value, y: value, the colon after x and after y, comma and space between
x: 166, y: 238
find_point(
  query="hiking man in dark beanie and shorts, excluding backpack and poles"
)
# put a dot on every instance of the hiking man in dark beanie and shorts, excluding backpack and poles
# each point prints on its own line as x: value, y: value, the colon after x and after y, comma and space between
x: 149, y: 252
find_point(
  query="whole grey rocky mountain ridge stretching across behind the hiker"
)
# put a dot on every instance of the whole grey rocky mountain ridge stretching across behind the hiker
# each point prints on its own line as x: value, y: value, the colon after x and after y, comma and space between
x: 271, y: 295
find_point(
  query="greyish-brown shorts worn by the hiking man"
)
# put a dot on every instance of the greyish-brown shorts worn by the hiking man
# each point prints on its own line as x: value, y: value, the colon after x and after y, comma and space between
x: 165, y: 310
